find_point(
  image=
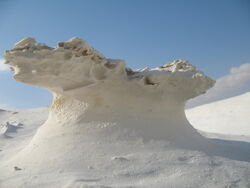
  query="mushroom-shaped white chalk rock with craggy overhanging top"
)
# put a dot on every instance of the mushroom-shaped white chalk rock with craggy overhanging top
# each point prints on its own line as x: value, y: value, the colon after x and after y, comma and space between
x: 96, y: 97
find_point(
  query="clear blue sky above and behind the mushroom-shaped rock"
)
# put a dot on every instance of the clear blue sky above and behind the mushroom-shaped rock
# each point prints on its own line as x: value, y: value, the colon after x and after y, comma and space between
x: 214, y: 35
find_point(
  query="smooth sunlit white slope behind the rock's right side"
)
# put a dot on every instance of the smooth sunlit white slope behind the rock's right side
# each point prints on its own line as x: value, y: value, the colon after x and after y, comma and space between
x: 230, y: 116
